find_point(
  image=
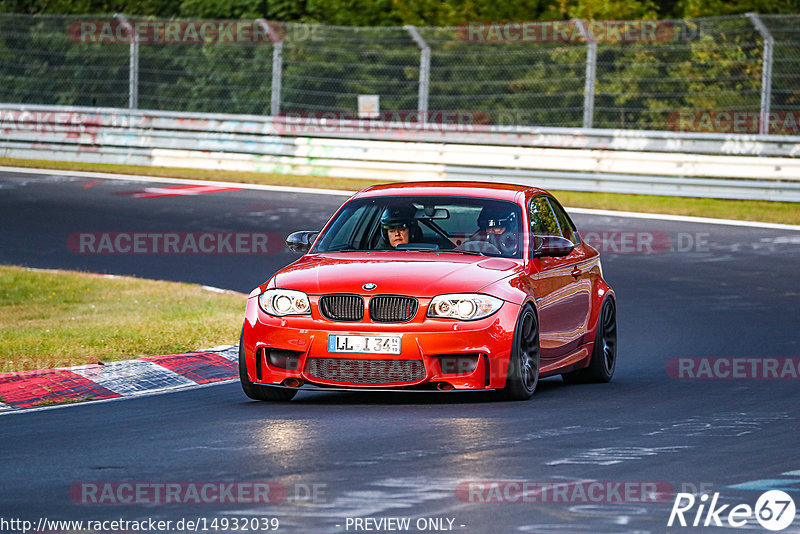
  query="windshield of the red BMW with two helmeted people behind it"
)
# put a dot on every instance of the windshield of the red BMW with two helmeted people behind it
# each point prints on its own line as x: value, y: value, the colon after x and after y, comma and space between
x: 448, y: 224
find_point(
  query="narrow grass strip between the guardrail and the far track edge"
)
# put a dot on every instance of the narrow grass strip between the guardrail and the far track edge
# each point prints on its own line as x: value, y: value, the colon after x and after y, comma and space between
x: 745, y: 210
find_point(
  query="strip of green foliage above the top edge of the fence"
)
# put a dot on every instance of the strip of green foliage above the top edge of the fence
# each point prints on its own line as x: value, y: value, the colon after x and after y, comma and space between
x: 399, y: 12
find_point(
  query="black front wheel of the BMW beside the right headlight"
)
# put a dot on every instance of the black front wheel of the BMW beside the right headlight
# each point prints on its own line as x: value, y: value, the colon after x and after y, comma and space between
x: 523, y: 367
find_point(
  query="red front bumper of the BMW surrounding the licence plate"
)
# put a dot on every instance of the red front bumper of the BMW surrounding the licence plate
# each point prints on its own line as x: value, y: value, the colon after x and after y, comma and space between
x: 428, y: 349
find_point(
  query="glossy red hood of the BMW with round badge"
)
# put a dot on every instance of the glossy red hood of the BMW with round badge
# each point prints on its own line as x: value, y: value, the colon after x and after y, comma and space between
x: 401, y: 273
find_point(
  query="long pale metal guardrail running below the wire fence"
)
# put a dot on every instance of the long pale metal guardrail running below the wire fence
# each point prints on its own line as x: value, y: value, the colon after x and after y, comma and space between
x: 620, y: 161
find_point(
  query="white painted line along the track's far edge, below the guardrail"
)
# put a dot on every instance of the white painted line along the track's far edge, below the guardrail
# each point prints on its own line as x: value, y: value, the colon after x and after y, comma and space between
x: 335, y: 192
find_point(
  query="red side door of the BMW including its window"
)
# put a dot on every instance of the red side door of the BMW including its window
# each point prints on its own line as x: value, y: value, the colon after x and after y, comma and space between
x: 561, y: 285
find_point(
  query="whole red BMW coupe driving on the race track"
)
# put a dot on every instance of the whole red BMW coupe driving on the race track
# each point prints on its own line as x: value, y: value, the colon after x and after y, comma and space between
x: 433, y: 286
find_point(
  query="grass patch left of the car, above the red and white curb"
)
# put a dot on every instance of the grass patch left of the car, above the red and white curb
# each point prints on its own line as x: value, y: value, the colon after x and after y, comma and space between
x: 60, y: 319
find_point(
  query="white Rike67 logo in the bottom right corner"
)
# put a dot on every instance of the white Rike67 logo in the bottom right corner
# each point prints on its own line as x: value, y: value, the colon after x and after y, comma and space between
x: 774, y: 511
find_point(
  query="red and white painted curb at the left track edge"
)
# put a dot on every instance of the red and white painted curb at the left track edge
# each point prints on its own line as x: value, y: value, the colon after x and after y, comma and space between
x: 31, y: 389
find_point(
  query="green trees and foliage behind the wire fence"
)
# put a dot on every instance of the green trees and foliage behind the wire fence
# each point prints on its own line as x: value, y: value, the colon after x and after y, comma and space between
x: 359, y: 47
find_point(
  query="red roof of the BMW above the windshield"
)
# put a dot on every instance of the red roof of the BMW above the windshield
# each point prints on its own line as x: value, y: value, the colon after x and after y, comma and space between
x: 498, y: 191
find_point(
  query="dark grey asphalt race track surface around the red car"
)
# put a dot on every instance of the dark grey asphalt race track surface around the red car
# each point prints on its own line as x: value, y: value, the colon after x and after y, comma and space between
x: 716, y: 291
